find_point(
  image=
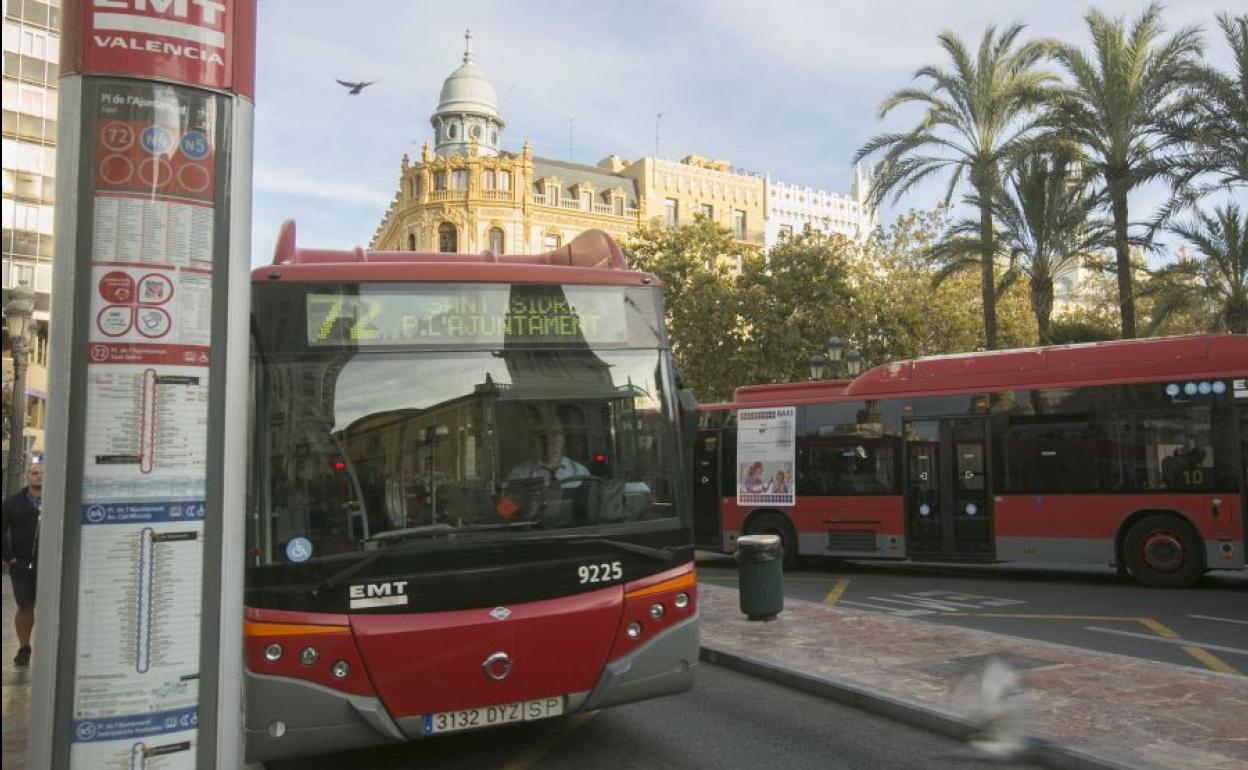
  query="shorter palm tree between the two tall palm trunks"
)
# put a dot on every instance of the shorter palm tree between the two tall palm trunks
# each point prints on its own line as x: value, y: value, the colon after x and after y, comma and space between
x: 1045, y: 231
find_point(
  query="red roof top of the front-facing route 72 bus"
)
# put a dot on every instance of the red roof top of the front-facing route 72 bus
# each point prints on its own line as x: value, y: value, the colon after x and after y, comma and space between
x: 592, y: 249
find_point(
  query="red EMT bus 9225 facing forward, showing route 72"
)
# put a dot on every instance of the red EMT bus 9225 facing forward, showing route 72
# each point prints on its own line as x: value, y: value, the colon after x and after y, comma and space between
x: 465, y: 506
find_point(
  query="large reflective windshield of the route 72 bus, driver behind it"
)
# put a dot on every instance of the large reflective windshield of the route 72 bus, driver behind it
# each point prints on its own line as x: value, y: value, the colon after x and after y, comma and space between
x: 361, y: 447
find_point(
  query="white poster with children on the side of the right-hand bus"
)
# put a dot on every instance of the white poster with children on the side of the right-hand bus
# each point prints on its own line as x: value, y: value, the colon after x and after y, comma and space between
x: 766, y: 456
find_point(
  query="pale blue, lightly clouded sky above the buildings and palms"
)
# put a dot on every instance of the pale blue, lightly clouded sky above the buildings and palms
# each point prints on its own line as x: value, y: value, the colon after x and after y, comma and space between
x: 789, y: 88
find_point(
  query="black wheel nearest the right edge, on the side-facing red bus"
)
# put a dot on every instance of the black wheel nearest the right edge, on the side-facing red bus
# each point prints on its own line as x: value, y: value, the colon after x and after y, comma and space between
x: 1164, y: 551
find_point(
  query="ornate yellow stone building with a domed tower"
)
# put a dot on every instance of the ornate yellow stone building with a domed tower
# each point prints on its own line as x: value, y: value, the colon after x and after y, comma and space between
x: 470, y: 195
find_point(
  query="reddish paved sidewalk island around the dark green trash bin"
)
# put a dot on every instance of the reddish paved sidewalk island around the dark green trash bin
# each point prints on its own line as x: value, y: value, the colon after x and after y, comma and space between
x: 1100, y: 711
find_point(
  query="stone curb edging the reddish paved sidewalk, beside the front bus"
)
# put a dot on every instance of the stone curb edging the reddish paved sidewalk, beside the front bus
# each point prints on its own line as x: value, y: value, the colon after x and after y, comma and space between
x: 905, y: 712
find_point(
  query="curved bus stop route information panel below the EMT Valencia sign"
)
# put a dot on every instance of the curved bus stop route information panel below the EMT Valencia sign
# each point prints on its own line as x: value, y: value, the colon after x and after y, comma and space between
x: 144, y: 479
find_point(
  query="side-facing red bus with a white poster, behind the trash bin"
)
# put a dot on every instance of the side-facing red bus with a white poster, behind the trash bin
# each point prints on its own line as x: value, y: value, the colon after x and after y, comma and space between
x: 1130, y: 455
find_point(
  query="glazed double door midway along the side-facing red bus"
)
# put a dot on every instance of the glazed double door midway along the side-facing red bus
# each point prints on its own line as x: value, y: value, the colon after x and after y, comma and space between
x: 949, y: 501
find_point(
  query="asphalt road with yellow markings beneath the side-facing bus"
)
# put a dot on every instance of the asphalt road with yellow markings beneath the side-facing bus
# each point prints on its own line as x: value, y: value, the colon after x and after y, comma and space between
x: 1205, y: 627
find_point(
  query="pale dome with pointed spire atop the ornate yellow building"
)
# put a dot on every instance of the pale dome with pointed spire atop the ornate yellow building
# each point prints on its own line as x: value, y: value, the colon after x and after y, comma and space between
x: 467, y: 110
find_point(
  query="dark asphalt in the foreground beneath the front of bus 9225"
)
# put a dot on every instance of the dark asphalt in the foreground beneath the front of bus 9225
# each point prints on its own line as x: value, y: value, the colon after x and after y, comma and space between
x: 728, y: 722
